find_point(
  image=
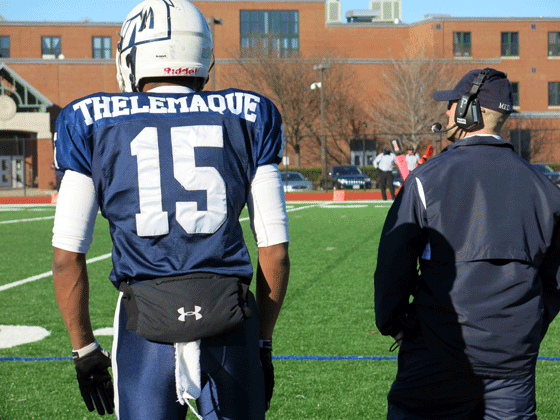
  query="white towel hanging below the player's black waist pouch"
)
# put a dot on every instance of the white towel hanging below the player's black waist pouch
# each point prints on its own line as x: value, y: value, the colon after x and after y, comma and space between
x: 187, y: 373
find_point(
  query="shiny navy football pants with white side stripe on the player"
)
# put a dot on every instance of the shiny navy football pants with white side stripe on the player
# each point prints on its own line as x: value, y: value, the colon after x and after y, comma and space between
x: 232, y: 378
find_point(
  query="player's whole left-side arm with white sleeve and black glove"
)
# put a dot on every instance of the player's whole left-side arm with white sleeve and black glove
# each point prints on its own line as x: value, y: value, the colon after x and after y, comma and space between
x: 72, y: 235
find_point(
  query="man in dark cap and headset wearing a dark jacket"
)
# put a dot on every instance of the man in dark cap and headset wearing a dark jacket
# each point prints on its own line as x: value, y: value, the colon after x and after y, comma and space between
x: 483, y: 227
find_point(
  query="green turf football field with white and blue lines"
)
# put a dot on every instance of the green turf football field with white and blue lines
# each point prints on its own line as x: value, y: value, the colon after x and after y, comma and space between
x: 331, y: 363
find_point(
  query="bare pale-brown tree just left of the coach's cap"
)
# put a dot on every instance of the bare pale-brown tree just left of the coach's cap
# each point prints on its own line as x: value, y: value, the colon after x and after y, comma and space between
x: 404, y: 103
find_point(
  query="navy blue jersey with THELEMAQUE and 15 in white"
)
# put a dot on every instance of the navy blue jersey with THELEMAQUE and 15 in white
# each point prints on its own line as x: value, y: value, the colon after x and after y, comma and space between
x: 172, y: 172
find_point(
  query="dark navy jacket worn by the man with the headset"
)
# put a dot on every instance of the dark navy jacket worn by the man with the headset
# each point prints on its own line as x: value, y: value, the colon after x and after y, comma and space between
x: 483, y: 227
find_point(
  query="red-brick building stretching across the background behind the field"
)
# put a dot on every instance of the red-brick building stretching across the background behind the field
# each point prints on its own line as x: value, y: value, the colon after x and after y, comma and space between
x: 46, y: 65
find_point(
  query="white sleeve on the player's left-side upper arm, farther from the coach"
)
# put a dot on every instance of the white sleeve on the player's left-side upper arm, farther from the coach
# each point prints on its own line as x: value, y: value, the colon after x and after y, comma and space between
x: 76, y: 210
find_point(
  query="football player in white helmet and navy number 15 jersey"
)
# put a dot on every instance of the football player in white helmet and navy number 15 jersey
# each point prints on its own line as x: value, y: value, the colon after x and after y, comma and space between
x: 171, y: 167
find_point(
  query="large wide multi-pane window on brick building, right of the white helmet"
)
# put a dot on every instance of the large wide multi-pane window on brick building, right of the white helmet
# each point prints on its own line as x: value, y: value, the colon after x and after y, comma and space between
x: 274, y: 32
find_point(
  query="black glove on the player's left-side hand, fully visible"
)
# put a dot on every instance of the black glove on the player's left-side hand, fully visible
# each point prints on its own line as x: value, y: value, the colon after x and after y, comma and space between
x: 95, y: 381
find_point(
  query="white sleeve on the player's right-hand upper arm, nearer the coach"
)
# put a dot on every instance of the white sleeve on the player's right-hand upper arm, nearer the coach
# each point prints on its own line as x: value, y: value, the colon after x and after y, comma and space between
x: 267, y: 207
